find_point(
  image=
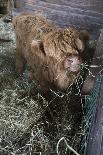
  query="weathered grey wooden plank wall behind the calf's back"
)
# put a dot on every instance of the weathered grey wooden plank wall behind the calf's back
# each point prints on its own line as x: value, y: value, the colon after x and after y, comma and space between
x: 77, y: 13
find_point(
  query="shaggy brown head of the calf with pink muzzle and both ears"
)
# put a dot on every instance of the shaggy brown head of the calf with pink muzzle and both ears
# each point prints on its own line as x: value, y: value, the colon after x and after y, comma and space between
x: 66, y: 46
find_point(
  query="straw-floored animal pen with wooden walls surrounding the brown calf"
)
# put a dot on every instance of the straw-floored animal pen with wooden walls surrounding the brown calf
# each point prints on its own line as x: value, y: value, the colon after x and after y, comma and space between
x: 68, y: 124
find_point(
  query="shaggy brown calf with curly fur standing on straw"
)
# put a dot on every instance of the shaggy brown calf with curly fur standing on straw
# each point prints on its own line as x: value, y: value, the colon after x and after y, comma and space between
x: 53, y: 54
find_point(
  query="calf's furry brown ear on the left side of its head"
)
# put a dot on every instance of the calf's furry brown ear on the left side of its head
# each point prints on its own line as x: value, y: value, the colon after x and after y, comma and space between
x: 37, y: 47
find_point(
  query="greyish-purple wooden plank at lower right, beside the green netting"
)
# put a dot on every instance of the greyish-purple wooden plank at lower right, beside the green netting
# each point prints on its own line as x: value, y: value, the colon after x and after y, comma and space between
x: 95, y: 142
